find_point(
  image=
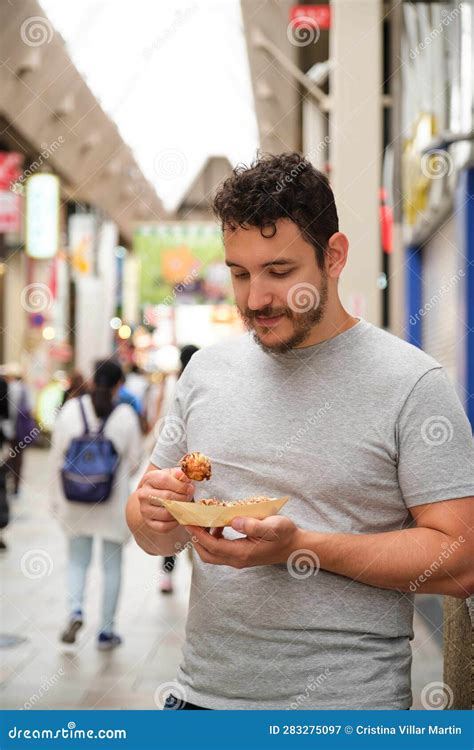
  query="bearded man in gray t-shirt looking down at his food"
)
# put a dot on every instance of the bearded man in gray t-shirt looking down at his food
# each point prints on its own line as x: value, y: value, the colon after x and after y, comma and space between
x: 312, y: 608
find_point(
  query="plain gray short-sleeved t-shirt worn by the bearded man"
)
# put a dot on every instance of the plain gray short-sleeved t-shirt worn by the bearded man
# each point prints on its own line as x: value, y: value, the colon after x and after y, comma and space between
x: 356, y: 430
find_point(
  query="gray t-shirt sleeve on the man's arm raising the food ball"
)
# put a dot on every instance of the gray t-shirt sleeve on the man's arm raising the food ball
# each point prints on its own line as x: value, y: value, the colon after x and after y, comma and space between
x: 170, y: 430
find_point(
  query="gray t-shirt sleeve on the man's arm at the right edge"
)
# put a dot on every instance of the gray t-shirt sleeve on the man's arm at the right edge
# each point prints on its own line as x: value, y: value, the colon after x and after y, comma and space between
x: 435, y: 444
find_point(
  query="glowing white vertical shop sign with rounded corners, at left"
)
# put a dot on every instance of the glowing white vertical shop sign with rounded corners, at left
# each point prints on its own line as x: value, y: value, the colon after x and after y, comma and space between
x: 42, y: 216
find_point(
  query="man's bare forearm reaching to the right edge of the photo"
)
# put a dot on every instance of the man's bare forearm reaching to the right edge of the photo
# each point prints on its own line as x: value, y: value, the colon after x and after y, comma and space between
x: 418, y: 560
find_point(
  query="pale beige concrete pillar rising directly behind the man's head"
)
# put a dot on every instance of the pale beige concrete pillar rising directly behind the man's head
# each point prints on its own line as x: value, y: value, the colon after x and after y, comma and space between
x: 356, y: 146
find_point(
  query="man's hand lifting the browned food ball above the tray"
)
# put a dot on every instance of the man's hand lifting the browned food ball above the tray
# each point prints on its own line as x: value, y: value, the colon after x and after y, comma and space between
x: 162, y: 484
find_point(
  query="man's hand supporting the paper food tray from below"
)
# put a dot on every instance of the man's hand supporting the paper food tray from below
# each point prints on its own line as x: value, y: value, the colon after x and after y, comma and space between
x: 267, y: 542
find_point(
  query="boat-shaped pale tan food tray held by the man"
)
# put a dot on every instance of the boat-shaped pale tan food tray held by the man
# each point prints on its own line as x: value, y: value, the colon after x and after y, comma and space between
x: 214, y: 516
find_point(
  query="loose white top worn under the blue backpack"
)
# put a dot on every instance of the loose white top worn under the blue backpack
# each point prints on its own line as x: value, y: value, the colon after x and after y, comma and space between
x: 107, y: 519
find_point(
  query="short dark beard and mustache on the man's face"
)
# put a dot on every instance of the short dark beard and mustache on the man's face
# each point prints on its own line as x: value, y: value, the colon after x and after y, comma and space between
x: 303, y: 322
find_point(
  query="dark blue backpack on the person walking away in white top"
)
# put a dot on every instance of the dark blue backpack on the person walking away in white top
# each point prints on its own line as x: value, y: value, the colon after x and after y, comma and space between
x: 90, y: 465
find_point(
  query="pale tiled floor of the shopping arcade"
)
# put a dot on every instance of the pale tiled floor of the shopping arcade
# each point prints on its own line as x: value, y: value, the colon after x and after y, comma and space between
x: 40, y: 673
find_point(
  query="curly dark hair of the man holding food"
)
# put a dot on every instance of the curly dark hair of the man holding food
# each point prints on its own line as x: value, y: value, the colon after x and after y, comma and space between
x: 282, y: 186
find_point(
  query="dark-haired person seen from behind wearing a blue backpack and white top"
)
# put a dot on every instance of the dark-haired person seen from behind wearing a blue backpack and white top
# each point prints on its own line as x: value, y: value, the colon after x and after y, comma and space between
x: 96, y: 447
